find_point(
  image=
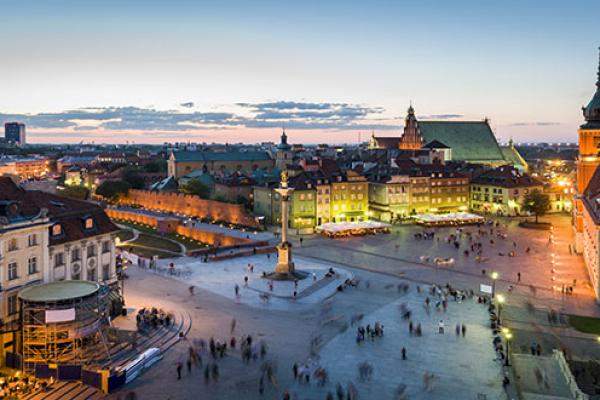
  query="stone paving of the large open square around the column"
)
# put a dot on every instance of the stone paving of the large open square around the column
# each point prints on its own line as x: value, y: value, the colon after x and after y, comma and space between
x: 463, y: 366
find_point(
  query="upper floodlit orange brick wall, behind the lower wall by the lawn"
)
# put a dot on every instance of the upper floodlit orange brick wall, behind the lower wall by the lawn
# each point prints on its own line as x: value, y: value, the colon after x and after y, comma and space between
x: 192, y: 206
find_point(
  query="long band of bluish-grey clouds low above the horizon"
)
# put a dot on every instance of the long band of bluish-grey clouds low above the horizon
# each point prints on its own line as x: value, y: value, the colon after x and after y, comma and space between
x: 291, y: 114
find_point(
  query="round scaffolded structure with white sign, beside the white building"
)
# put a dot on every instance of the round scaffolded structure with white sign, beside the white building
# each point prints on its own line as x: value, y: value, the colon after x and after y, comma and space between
x: 77, y: 339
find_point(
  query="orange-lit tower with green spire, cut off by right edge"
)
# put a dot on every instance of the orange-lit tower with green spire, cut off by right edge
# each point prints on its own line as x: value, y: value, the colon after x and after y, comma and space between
x: 589, y: 155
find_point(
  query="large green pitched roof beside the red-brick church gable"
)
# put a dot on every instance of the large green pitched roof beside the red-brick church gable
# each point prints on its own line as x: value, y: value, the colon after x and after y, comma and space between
x: 469, y: 140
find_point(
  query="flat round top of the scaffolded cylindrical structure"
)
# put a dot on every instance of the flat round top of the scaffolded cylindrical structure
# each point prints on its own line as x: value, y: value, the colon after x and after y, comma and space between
x: 58, y: 291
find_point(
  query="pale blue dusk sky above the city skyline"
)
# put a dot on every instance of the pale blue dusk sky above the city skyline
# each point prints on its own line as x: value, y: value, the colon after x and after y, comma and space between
x: 328, y: 71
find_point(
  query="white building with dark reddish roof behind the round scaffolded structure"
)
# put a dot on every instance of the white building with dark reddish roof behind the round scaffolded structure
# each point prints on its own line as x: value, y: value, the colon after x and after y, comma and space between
x: 46, y: 238
